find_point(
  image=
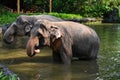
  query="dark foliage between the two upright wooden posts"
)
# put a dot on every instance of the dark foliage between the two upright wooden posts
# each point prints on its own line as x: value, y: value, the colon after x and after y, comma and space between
x: 36, y: 5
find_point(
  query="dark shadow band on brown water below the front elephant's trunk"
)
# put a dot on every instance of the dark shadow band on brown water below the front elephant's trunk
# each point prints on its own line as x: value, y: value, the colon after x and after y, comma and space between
x: 37, y: 59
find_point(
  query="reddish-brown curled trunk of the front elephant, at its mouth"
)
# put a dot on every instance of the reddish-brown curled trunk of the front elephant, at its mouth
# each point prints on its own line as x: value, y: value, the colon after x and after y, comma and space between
x: 32, y: 46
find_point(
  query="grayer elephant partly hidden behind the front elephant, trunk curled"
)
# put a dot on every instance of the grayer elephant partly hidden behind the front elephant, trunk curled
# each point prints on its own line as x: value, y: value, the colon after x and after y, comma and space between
x: 23, y: 25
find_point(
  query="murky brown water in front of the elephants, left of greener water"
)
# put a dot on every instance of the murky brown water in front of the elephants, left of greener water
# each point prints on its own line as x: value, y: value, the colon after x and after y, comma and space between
x: 41, y: 67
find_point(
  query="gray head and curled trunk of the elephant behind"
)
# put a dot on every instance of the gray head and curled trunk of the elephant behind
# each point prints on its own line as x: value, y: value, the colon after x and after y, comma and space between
x: 18, y: 28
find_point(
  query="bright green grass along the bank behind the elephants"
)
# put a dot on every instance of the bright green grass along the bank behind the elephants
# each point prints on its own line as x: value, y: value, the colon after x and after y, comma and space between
x: 8, y: 17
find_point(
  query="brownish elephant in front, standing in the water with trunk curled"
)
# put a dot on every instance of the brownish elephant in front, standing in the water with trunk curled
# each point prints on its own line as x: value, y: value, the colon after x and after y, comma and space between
x: 66, y: 39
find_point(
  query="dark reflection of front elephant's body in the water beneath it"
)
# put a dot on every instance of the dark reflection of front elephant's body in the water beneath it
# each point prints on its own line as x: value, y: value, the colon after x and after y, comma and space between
x: 79, y: 70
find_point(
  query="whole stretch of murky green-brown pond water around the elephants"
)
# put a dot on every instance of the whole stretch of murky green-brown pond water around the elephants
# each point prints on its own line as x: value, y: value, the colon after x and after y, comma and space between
x: 41, y: 67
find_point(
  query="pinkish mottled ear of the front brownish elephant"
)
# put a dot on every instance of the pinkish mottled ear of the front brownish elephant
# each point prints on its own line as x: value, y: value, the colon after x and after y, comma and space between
x: 55, y: 33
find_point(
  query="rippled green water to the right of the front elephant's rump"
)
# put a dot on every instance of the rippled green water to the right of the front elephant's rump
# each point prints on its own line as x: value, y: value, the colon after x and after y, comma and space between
x: 109, y: 54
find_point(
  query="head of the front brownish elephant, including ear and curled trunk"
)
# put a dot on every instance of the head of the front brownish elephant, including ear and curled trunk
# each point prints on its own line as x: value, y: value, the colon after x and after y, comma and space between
x: 42, y: 34
